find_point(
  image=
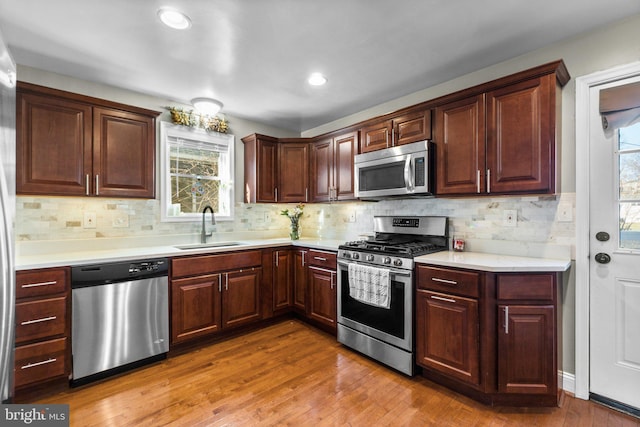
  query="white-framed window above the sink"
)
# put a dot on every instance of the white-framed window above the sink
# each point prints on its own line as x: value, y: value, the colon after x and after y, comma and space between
x: 197, y: 170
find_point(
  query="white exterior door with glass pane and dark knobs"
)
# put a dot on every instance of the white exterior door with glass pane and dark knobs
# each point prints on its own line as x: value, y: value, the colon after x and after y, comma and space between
x: 614, y: 259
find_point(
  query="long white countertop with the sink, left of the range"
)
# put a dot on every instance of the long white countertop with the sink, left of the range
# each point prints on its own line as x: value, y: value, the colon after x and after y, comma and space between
x: 66, y: 257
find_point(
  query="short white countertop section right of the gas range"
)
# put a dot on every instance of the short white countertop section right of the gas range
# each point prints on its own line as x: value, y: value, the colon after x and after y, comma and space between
x: 493, y: 262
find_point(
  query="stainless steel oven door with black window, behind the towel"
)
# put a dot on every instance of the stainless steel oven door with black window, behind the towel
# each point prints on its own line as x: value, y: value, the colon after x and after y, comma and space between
x: 392, y: 325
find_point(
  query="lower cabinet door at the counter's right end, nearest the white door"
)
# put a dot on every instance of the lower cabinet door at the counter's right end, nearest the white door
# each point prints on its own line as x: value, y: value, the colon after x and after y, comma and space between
x: 526, y: 349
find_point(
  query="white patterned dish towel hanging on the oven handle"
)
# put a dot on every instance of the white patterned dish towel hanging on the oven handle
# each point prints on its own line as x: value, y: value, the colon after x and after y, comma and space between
x: 370, y: 285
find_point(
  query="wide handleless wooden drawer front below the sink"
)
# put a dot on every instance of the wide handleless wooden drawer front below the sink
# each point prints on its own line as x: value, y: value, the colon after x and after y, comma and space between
x: 197, y: 265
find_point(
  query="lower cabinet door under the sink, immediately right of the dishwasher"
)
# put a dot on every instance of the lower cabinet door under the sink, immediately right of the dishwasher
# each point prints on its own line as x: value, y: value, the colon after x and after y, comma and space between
x: 195, y: 307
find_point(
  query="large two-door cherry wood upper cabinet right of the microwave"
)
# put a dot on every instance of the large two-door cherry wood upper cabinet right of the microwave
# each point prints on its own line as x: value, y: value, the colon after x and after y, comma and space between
x: 500, y: 138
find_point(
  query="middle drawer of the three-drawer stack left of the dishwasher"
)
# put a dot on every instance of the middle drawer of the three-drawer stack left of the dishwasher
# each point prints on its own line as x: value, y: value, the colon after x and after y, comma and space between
x: 40, y: 319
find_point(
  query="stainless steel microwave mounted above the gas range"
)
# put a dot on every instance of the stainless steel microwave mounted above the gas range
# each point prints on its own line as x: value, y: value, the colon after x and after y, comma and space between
x: 405, y: 170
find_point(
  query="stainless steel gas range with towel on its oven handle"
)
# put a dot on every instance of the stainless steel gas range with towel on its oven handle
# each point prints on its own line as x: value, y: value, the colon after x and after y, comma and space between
x: 376, y: 287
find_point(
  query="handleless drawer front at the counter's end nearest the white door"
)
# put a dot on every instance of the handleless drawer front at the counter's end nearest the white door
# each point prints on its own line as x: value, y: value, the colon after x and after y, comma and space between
x: 539, y: 287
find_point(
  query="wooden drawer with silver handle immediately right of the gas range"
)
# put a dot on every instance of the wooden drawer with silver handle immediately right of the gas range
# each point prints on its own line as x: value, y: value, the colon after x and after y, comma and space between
x: 458, y: 282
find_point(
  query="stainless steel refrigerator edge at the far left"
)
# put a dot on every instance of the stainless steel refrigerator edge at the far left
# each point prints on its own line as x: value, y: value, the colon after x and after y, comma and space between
x: 7, y: 217
